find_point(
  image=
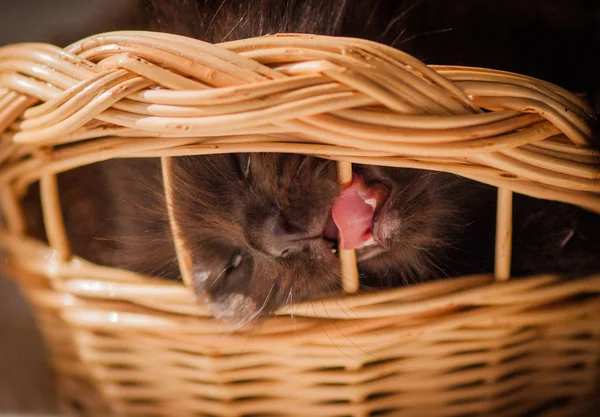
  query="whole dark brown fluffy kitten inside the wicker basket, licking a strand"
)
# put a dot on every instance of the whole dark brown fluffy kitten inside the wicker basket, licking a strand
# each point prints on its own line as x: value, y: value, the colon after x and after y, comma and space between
x: 262, y: 228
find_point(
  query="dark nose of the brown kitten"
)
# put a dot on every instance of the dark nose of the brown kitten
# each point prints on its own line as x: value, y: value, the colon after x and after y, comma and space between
x: 284, y: 238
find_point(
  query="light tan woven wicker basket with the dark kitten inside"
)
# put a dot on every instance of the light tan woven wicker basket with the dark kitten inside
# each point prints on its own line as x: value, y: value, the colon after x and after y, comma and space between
x: 130, y: 345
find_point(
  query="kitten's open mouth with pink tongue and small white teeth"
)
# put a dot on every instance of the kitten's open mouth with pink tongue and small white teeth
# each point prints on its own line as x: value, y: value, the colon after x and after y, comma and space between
x: 353, y: 213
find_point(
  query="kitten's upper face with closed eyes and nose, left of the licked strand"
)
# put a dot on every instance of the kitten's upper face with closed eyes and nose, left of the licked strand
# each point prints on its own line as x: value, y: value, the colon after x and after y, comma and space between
x: 254, y: 230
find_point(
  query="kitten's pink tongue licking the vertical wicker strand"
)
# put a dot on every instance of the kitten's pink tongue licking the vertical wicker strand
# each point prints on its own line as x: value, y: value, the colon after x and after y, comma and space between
x: 352, y: 216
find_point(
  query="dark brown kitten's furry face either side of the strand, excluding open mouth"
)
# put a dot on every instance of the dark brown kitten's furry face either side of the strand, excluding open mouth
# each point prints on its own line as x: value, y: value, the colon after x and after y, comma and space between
x: 259, y: 228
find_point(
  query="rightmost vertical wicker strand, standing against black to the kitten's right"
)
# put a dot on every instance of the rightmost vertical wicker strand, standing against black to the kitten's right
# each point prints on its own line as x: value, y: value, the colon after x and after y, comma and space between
x: 503, y: 234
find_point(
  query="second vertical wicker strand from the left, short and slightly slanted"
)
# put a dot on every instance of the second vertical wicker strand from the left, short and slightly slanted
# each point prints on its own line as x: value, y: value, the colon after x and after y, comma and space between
x: 53, y: 217
